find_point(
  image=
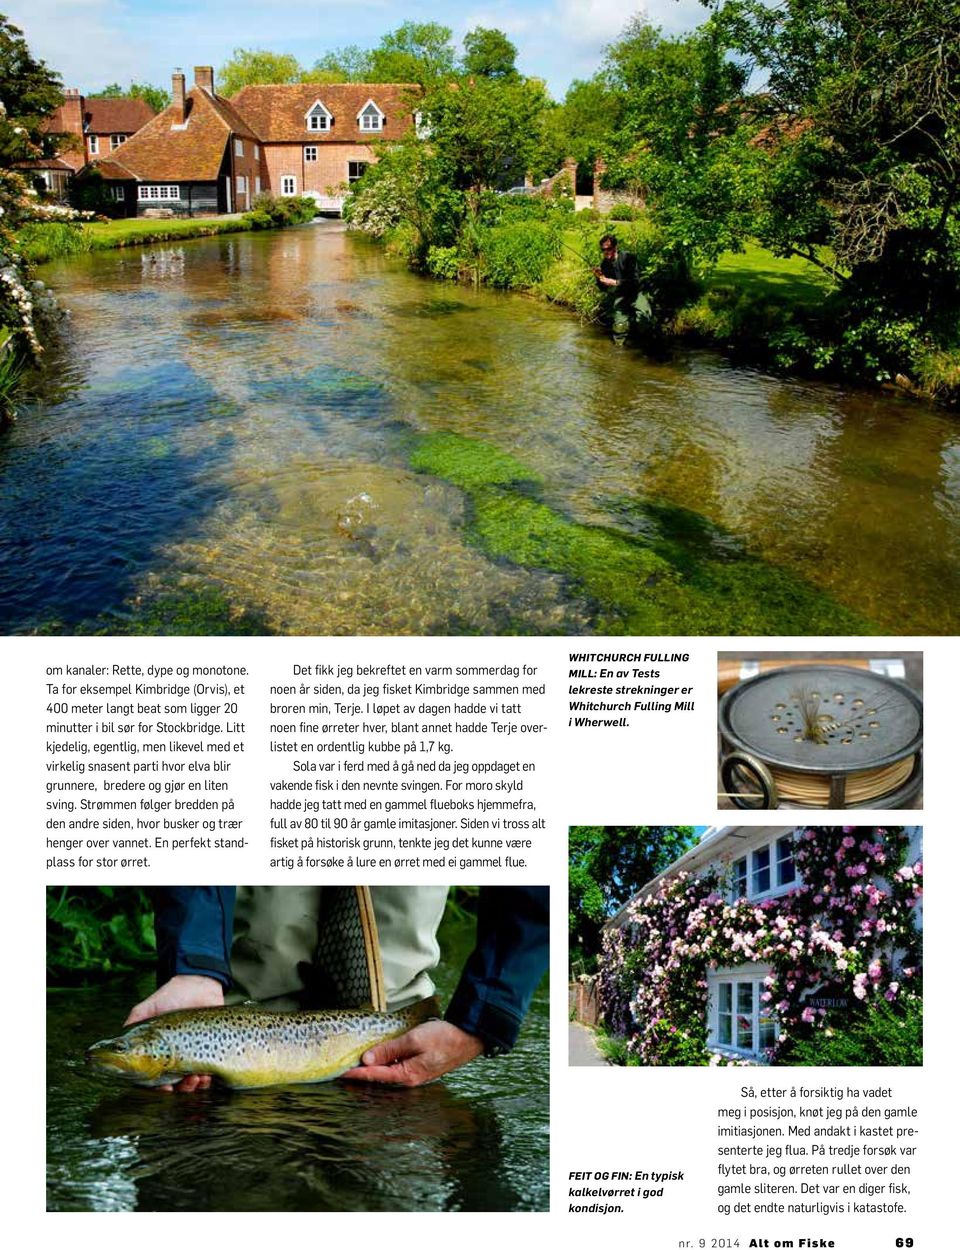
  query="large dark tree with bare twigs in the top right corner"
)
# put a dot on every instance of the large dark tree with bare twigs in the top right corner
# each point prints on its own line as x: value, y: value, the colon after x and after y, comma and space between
x: 863, y: 111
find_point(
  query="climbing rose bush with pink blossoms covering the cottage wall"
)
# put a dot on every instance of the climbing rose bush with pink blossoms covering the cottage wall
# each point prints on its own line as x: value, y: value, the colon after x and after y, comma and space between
x: 849, y: 916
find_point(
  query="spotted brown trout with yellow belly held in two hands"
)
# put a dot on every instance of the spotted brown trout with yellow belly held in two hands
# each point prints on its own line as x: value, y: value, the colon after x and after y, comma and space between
x: 249, y: 1047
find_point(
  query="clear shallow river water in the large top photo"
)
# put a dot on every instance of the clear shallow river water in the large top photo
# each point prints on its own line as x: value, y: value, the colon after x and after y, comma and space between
x: 241, y: 417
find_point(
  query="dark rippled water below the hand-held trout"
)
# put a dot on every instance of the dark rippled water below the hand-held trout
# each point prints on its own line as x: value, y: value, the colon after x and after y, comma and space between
x: 477, y: 1141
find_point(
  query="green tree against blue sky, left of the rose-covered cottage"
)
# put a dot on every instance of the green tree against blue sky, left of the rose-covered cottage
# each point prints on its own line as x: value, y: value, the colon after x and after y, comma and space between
x: 608, y: 866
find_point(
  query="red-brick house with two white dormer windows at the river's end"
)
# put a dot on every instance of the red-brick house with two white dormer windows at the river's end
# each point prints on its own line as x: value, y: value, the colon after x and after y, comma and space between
x: 317, y: 138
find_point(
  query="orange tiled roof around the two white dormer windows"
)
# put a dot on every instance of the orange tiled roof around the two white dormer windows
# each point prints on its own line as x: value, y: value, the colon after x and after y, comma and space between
x: 278, y: 113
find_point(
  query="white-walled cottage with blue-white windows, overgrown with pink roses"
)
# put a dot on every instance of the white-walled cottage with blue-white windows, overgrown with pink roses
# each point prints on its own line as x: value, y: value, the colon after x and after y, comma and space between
x: 764, y: 933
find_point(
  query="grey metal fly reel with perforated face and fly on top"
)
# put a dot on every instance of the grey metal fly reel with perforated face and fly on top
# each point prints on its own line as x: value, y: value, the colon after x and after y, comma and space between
x: 821, y: 737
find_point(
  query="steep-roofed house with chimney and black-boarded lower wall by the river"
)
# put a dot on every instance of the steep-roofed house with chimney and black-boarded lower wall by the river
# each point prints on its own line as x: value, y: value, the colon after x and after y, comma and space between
x: 197, y: 158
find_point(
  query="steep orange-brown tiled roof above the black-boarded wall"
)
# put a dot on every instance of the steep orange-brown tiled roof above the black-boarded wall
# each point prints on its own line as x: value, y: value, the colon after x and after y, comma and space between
x: 164, y: 154
